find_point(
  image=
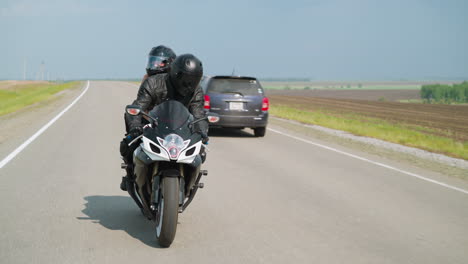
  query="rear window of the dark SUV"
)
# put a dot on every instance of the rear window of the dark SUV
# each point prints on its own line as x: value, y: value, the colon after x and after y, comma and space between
x: 242, y: 86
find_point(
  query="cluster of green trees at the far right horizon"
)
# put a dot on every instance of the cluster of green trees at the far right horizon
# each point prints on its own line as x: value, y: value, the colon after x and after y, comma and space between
x: 444, y: 93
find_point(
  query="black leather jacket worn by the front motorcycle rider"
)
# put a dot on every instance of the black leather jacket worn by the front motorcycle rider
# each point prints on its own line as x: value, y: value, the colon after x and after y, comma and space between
x: 157, y: 89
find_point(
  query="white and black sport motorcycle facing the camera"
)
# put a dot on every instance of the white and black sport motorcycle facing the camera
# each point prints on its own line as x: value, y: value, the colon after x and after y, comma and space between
x: 167, y: 166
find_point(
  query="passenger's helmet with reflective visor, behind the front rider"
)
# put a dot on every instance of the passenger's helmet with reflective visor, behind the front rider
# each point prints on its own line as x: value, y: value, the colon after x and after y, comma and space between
x: 159, y: 60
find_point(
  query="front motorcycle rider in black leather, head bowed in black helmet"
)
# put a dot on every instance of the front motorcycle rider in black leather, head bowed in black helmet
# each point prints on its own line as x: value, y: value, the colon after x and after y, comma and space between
x: 181, y: 84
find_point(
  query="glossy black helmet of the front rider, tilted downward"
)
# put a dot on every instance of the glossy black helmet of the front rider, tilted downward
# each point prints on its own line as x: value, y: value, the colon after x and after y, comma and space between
x: 186, y: 73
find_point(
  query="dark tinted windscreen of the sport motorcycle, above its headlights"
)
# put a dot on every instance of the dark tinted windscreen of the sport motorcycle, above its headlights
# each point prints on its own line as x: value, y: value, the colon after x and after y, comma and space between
x: 171, y: 115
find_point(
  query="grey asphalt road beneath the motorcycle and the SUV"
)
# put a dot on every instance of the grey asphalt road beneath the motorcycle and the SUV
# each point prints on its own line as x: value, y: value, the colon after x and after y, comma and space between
x: 266, y: 200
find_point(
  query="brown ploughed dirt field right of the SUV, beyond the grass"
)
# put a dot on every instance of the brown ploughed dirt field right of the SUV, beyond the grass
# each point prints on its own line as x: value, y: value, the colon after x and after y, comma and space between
x: 447, y: 120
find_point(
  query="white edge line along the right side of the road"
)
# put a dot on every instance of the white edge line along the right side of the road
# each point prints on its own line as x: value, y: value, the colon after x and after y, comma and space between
x: 373, y: 162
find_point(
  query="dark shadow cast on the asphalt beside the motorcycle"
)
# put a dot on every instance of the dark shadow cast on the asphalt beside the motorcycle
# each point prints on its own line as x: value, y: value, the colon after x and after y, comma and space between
x: 120, y: 213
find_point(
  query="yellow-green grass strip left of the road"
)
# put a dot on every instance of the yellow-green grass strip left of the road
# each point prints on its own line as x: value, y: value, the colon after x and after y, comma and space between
x: 16, y: 98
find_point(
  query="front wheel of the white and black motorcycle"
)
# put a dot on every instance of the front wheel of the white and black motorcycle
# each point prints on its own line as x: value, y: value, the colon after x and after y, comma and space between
x: 168, y: 211
